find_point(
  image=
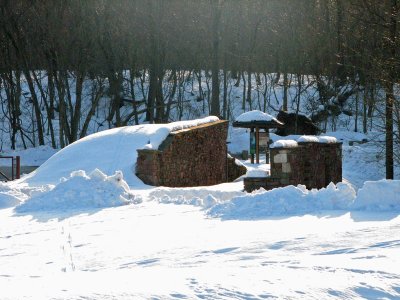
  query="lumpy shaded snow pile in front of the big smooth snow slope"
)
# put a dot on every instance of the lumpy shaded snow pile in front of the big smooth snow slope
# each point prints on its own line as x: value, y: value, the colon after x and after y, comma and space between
x: 82, y: 191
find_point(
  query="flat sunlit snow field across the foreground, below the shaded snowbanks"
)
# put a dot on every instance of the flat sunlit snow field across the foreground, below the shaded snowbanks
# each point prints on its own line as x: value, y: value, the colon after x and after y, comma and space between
x: 164, y: 251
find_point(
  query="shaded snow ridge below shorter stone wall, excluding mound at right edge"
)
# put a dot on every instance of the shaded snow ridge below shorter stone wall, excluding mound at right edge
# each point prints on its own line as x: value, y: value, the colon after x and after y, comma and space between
x: 288, y: 200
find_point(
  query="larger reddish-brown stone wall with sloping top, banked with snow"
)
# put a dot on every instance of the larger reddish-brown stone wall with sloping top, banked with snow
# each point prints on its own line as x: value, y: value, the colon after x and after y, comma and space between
x: 191, y: 157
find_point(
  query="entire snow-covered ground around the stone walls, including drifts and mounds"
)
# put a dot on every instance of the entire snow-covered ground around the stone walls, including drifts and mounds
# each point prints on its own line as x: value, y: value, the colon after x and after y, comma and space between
x: 102, y: 234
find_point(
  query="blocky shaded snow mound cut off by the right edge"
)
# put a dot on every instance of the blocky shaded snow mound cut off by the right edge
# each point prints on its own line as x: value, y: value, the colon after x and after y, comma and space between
x: 382, y: 195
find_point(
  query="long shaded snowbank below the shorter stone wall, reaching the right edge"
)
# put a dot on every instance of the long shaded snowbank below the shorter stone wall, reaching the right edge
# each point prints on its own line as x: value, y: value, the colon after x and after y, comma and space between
x: 376, y: 196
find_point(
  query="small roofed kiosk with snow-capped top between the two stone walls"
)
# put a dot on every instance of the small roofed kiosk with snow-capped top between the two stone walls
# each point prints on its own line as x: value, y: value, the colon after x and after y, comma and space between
x: 257, y: 120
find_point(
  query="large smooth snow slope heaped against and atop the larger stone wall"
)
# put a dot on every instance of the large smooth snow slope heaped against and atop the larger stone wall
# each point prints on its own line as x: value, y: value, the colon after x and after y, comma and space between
x: 109, y: 151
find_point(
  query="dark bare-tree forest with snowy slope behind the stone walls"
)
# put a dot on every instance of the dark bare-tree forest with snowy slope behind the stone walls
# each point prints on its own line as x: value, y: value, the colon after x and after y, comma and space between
x: 61, y: 60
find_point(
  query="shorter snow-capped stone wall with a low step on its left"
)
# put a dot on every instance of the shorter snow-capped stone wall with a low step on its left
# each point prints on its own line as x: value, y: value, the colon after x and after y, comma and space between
x: 313, y: 162
